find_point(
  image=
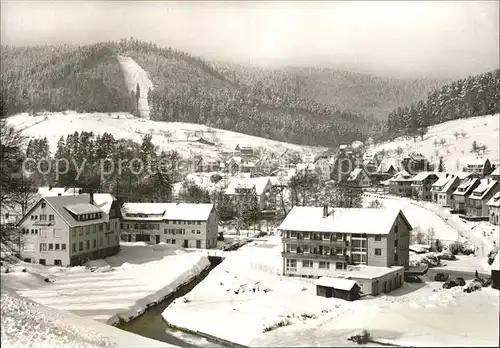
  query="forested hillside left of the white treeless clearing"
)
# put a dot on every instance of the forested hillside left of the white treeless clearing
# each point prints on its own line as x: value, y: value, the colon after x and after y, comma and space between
x: 57, y: 78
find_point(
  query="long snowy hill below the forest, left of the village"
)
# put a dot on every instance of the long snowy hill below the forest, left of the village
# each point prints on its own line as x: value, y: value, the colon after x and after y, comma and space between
x: 166, y: 135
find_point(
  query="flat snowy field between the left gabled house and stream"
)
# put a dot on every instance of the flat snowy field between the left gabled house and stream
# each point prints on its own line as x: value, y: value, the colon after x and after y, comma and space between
x: 139, y: 275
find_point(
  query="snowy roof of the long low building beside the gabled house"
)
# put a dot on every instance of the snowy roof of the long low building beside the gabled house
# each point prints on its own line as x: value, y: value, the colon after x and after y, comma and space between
x: 167, y: 211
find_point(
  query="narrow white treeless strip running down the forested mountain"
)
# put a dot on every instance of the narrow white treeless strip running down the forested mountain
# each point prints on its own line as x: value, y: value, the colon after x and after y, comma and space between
x: 134, y: 74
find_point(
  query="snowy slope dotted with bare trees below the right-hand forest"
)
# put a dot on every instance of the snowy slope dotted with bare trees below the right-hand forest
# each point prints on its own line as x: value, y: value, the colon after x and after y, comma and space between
x: 456, y: 151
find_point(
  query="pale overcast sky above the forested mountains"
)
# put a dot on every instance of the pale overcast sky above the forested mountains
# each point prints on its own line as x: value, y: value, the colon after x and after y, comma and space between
x: 392, y: 38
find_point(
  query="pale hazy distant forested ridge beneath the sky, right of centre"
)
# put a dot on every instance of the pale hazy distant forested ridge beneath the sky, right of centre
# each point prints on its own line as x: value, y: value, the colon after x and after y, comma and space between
x: 366, y: 94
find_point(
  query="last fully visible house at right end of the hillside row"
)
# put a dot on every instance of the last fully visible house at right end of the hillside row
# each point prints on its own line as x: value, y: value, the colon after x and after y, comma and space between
x: 475, y: 204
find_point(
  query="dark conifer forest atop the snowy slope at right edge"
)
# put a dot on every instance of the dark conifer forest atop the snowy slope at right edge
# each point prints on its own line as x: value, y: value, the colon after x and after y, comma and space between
x: 474, y: 96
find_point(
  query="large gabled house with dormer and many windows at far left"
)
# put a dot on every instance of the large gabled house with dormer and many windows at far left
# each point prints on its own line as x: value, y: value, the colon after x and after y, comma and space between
x: 67, y: 230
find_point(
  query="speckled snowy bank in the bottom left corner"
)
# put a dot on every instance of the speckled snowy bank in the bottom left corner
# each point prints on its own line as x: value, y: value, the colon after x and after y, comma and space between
x: 26, y: 324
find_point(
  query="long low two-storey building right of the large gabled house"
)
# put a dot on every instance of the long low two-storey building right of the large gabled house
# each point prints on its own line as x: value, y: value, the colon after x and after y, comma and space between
x: 190, y: 225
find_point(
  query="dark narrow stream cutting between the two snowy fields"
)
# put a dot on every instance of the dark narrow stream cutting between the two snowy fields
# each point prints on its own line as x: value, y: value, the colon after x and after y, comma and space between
x: 151, y: 324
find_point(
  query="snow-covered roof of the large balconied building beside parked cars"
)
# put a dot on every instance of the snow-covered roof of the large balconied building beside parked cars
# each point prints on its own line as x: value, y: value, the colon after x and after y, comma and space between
x: 341, y: 220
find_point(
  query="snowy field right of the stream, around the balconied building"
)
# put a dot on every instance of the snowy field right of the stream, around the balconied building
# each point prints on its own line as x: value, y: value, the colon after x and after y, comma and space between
x: 416, y: 314
